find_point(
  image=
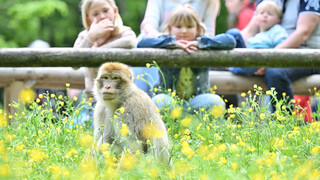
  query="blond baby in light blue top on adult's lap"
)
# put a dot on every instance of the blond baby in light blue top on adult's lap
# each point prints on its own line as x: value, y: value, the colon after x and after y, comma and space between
x: 271, y: 33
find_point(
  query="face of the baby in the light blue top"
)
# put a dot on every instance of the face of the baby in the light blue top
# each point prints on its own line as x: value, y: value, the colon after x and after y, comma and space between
x: 267, y: 19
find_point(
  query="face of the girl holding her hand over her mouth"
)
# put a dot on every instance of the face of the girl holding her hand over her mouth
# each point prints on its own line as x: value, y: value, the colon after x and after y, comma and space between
x: 100, y: 10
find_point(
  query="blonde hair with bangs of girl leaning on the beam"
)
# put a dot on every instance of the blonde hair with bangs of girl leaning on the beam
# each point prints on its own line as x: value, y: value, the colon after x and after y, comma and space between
x: 185, y: 14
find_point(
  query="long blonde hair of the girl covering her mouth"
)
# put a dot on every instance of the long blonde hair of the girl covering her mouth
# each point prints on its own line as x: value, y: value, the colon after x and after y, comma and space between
x: 85, y: 5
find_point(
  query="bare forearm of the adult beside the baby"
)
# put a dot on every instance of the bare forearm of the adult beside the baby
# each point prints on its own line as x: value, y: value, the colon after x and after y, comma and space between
x: 305, y: 25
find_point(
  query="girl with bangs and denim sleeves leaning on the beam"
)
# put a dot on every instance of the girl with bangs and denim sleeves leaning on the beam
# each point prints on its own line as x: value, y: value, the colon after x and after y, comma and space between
x: 185, y: 31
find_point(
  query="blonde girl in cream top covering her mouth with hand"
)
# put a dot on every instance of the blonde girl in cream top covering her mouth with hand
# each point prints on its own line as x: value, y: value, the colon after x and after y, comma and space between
x: 103, y: 29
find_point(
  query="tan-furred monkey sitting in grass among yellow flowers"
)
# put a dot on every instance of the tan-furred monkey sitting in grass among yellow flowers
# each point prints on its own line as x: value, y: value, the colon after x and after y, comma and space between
x: 114, y: 88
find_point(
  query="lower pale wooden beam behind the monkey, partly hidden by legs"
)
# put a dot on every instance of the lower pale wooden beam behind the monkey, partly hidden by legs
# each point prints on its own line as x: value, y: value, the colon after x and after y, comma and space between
x: 57, y: 77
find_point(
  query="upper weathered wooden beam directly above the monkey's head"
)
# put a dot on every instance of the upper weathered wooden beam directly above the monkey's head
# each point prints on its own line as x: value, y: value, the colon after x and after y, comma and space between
x: 70, y: 57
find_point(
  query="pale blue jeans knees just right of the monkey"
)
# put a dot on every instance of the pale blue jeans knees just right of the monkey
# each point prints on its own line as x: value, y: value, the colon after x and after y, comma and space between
x: 206, y: 100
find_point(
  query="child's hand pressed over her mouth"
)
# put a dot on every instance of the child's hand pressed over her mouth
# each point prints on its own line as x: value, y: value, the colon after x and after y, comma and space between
x: 97, y: 29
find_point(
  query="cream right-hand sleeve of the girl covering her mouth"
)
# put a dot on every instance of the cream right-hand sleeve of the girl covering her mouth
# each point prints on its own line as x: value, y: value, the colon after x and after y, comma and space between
x: 127, y: 39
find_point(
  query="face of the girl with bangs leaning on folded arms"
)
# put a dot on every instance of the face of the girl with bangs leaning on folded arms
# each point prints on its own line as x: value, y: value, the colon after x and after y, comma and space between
x: 184, y: 31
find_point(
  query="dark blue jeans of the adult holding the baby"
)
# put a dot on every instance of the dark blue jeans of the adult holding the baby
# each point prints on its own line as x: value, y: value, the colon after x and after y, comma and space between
x: 281, y: 79
